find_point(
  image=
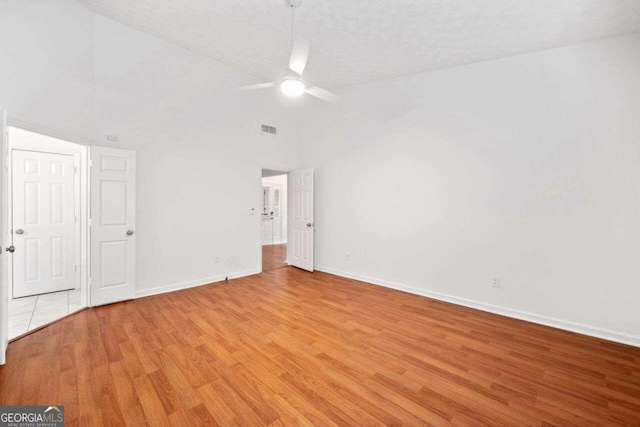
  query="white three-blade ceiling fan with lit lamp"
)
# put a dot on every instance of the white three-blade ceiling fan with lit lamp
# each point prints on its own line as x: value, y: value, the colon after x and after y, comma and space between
x: 291, y: 84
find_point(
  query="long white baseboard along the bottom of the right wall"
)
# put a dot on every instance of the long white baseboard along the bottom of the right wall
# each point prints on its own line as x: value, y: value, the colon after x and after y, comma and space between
x: 566, y: 325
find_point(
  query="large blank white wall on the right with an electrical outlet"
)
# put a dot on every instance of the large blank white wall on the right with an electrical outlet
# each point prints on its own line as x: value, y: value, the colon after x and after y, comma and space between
x: 526, y: 167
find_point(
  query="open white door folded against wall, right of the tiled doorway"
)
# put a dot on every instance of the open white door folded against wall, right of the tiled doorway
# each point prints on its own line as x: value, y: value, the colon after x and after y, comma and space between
x: 113, y: 218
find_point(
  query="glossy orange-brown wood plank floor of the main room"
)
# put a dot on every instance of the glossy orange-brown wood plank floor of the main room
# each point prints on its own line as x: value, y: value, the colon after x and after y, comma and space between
x: 289, y: 347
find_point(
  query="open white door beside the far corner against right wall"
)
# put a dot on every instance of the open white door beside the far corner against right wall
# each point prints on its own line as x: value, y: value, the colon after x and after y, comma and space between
x: 300, y: 246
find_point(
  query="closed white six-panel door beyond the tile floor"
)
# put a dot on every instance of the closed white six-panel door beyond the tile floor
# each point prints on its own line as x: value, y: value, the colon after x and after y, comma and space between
x: 43, y: 222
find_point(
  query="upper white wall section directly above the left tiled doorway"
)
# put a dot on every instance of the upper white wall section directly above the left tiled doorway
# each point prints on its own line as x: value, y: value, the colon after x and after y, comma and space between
x: 46, y: 66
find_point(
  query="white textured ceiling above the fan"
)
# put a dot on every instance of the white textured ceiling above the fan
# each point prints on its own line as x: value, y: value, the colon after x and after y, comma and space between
x: 359, y: 41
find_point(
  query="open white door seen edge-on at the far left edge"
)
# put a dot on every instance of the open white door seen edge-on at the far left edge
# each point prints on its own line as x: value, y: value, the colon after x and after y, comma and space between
x: 4, y: 239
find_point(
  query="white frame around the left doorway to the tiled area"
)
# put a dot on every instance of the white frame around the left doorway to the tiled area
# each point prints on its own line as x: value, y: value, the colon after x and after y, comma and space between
x: 79, y: 152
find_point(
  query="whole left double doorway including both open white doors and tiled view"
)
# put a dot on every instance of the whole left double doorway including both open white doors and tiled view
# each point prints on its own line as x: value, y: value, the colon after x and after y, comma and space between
x: 61, y: 203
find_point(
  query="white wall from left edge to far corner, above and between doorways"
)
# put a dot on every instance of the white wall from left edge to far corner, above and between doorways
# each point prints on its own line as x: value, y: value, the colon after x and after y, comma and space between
x: 199, y: 146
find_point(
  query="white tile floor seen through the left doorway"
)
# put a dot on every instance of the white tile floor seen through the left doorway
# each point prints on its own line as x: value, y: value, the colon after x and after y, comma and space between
x: 29, y: 313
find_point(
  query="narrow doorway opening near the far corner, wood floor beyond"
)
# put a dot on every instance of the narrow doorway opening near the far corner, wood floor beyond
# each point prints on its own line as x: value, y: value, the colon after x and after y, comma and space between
x: 273, y: 215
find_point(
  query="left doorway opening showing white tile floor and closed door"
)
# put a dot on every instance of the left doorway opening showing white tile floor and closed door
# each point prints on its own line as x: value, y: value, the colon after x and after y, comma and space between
x: 46, y: 195
